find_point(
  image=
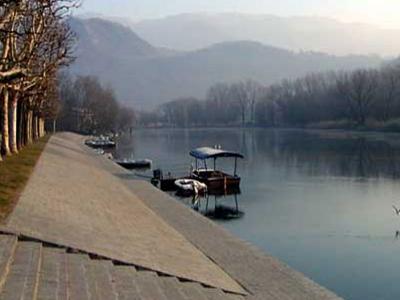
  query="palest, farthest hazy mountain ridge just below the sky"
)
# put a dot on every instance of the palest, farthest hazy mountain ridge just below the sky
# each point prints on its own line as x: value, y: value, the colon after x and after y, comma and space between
x: 195, y: 31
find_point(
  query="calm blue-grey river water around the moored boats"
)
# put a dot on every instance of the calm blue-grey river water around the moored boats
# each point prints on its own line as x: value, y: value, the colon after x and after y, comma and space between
x: 320, y: 201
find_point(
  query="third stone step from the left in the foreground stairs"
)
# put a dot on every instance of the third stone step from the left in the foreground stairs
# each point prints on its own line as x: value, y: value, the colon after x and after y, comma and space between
x: 52, y: 281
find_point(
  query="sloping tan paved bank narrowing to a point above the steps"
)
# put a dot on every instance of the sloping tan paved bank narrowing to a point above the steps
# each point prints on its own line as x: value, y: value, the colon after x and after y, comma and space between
x: 73, y: 201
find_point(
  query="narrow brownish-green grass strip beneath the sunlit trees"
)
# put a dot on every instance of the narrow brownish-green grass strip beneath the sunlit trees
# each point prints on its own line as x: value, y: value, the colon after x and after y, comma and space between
x: 14, y: 174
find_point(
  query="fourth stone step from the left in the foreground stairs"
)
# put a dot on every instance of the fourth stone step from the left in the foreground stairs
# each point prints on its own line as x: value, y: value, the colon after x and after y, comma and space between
x: 77, y: 283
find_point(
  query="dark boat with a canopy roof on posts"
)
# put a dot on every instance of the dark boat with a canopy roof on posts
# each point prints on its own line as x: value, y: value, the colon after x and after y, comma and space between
x: 213, y: 178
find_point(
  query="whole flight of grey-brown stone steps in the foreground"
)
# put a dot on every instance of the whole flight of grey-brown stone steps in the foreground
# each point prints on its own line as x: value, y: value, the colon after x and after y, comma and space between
x: 34, y: 270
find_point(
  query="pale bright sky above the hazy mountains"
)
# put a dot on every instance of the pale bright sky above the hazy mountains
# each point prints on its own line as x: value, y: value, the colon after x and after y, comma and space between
x: 384, y: 13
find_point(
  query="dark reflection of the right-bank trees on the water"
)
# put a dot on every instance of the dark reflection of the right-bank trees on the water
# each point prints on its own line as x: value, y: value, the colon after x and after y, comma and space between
x: 332, y: 155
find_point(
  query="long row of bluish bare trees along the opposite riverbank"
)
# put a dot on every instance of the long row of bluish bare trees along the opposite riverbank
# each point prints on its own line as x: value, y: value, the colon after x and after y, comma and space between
x: 352, y: 98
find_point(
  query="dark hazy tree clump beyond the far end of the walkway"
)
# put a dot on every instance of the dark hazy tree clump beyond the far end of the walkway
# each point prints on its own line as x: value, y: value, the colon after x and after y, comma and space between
x: 91, y: 108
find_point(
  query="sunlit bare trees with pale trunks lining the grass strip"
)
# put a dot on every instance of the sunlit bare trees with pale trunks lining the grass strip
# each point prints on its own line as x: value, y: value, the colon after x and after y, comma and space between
x: 35, y: 42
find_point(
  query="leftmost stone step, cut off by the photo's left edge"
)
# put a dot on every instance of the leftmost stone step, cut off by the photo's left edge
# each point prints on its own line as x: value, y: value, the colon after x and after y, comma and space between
x: 8, y: 245
